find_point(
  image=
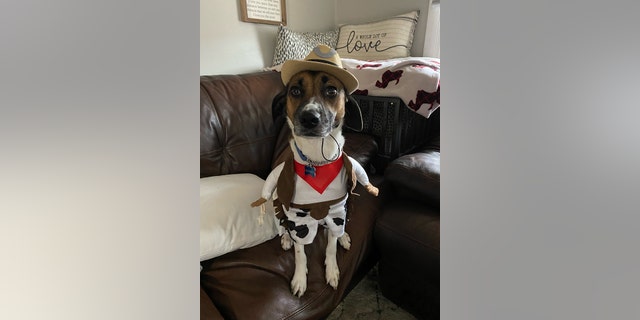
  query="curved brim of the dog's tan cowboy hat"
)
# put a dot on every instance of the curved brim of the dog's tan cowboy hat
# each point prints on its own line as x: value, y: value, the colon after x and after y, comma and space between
x: 292, y: 67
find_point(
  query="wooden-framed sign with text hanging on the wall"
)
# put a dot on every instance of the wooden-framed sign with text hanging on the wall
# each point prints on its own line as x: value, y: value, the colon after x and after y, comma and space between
x: 264, y: 11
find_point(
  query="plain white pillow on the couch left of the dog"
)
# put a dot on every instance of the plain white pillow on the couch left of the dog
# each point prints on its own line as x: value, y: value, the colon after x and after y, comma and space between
x: 227, y: 220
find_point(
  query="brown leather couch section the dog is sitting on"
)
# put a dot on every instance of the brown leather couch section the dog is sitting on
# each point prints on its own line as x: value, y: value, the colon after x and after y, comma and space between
x: 238, y: 135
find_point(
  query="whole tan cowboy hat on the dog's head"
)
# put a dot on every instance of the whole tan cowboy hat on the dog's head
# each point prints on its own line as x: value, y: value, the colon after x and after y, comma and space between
x: 321, y: 58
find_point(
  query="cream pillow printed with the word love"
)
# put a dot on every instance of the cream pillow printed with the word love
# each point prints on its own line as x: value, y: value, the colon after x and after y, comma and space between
x: 386, y: 39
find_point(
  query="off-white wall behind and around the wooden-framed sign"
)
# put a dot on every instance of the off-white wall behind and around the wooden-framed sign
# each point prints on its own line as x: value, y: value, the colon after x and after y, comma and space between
x: 229, y: 45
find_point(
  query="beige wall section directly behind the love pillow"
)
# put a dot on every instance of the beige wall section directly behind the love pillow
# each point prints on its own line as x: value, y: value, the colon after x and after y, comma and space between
x: 362, y: 11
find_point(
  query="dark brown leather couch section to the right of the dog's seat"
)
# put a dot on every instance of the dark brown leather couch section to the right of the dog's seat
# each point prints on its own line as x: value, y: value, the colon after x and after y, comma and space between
x: 407, y: 233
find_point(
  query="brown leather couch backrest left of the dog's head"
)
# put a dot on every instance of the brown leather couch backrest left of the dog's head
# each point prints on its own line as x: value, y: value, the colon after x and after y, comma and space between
x: 237, y: 133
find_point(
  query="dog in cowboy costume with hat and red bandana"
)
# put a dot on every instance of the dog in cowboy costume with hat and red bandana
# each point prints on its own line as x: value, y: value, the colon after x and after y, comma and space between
x: 311, y: 186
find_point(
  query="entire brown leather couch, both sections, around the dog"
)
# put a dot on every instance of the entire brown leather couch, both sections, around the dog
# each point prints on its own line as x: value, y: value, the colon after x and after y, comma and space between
x: 400, y: 228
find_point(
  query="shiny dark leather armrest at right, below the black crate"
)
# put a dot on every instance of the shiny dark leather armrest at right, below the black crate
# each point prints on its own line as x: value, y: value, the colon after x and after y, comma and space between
x: 416, y: 176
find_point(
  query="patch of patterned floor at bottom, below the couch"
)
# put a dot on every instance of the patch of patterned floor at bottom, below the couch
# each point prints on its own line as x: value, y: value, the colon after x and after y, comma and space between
x: 366, y: 301
